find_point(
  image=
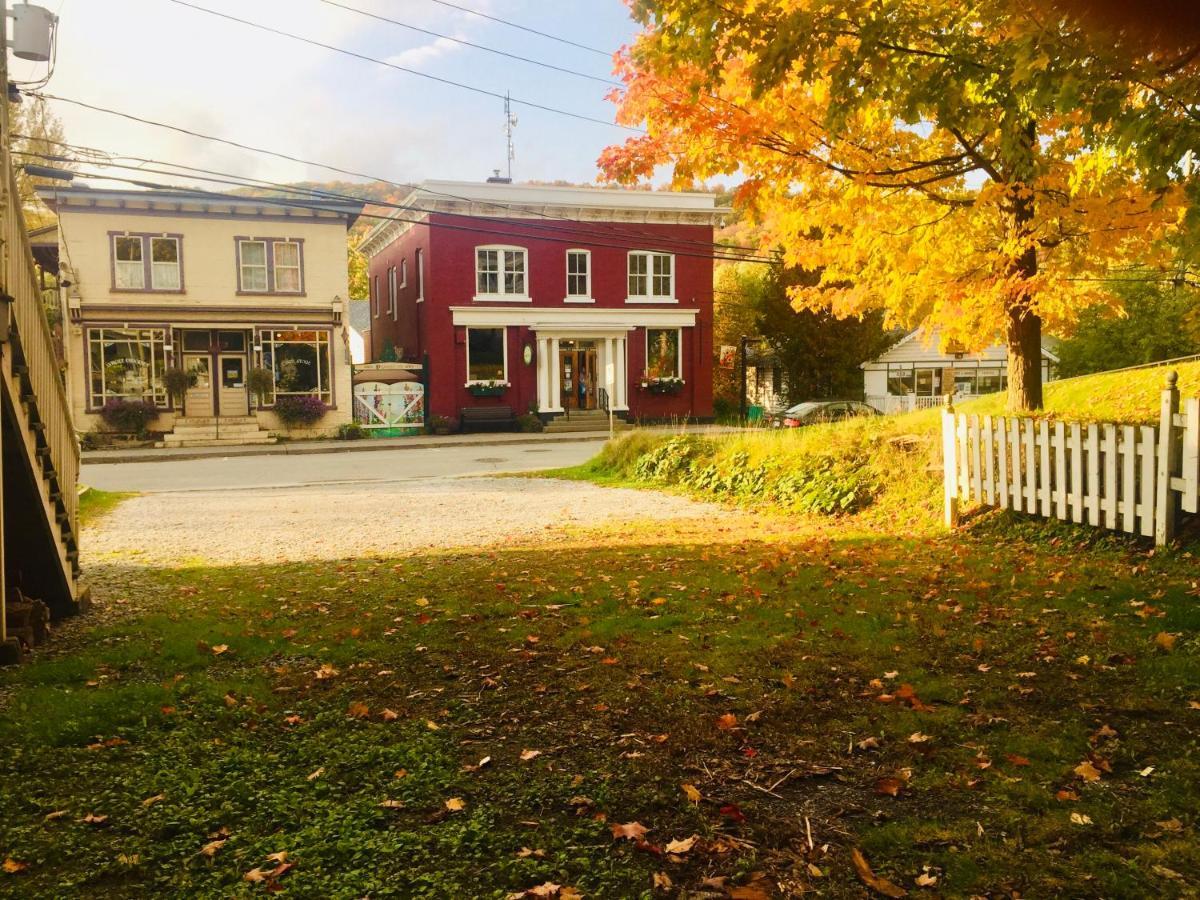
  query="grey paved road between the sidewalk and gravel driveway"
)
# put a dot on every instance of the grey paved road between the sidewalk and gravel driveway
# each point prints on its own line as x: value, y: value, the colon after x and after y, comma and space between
x: 349, y: 469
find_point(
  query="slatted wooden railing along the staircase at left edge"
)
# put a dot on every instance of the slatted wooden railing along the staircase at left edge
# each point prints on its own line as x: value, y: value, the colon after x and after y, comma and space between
x: 45, y: 410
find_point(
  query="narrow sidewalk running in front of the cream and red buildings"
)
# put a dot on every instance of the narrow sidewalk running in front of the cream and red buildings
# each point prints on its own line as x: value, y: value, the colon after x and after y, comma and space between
x: 416, y: 442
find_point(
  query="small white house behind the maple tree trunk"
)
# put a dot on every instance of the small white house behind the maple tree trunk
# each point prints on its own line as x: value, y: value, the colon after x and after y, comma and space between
x: 915, y: 374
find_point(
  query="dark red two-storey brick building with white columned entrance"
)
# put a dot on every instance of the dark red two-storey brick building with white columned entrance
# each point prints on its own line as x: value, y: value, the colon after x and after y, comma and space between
x: 549, y: 299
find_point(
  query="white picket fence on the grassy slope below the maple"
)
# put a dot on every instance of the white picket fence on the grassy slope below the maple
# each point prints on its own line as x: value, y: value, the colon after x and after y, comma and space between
x: 1126, y: 478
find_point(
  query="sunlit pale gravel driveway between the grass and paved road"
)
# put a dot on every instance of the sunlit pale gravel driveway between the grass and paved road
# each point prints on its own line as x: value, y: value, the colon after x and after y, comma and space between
x: 338, y: 521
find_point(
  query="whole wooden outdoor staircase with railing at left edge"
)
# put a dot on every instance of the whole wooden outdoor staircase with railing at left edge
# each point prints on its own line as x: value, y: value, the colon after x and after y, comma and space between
x: 39, y: 449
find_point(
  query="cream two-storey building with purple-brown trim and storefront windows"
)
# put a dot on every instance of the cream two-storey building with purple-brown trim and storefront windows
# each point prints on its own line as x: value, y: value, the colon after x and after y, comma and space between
x: 217, y: 287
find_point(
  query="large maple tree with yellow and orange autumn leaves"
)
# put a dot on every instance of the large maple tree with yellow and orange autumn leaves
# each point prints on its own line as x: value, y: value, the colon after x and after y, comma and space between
x: 974, y: 167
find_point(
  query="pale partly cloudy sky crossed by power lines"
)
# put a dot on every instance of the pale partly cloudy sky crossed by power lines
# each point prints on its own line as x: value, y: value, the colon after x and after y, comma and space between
x: 164, y: 62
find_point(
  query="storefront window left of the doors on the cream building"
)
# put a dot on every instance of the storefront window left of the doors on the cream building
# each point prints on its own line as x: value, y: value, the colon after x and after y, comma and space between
x: 127, y: 364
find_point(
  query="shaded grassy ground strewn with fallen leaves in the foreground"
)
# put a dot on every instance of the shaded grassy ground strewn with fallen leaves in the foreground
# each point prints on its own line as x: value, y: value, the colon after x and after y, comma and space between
x: 751, y: 710
